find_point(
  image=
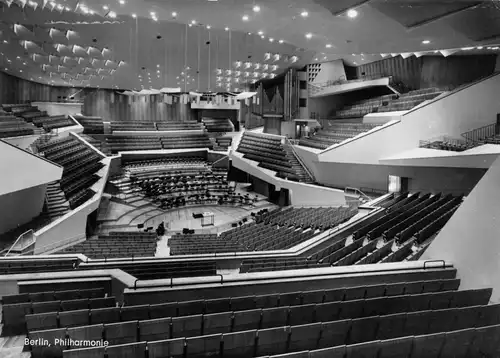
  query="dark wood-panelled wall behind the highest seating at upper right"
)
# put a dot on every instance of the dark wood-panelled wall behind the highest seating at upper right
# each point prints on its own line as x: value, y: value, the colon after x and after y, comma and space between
x: 432, y: 71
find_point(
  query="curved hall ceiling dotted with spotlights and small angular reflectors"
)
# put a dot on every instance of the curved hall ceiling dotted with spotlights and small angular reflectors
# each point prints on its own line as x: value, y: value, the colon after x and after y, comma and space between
x: 192, y: 44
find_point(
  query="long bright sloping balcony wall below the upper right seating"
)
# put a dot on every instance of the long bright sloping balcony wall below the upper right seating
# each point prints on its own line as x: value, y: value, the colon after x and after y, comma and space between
x: 471, y: 107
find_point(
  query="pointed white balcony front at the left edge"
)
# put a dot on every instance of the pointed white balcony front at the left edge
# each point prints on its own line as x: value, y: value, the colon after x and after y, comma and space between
x: 34, y: 170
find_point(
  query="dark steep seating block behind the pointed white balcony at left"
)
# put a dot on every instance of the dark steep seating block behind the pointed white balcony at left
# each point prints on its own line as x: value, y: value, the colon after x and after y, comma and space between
x: 80, y: 167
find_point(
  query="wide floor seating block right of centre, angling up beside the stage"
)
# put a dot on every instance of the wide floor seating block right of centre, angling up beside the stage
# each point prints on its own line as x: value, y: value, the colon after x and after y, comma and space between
x: 283, y: 229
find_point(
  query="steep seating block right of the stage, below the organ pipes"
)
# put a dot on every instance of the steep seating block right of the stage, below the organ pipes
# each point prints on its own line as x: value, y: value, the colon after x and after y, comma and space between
x: 268, y: 151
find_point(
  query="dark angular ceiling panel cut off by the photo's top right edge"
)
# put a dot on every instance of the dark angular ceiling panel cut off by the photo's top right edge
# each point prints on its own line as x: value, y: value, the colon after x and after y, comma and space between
x: 415, y: 13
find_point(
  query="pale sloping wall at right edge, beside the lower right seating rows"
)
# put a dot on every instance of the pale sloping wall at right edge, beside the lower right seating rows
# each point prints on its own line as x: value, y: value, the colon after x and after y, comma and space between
x: 470, y: 239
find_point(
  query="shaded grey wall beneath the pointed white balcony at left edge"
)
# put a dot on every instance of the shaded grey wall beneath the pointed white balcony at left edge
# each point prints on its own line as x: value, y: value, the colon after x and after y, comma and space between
x: 21, y: 207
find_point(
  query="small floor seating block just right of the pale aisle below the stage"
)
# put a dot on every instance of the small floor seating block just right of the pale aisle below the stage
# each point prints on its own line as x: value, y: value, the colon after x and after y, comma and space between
x: 200, y: 244
